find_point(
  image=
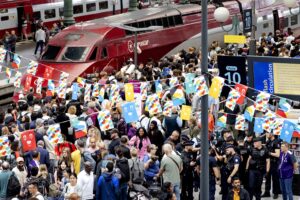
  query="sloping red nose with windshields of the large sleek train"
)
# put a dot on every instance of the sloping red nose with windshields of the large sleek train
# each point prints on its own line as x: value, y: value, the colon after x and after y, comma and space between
x: 73, y: 52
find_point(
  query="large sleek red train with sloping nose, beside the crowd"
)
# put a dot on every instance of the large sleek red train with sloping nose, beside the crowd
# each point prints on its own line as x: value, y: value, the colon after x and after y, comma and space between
x: 100, y: 44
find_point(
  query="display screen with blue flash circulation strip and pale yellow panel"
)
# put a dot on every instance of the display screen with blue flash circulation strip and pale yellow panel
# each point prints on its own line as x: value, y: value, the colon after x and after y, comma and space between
x: 275, y: 75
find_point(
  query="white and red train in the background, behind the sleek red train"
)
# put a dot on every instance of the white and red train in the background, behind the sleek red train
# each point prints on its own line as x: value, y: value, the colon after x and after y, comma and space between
x: 13, y: 12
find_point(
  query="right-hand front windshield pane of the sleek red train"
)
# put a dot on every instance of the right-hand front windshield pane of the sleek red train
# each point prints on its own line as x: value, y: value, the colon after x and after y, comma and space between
x: 75, y: 54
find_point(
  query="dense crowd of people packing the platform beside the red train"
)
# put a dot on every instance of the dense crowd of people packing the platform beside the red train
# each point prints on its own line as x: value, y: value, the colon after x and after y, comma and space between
x: 155, y: 157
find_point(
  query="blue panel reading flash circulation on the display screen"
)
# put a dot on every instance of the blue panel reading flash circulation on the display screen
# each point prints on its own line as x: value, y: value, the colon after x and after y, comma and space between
x: 263, y: 76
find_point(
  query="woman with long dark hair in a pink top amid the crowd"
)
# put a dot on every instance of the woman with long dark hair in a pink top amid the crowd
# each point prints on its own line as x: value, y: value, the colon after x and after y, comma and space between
x: 140, y: 141
